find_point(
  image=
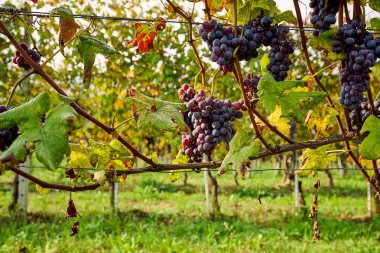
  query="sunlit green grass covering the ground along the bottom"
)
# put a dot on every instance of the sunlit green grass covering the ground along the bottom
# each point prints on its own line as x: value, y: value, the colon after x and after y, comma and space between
x: 157, y: 216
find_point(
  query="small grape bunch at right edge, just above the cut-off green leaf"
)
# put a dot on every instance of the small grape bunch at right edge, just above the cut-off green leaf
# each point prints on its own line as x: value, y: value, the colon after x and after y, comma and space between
x: 359, y: 116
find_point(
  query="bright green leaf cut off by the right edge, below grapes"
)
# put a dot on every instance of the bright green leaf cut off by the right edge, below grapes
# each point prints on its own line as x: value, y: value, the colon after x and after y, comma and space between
x: 370, y: 148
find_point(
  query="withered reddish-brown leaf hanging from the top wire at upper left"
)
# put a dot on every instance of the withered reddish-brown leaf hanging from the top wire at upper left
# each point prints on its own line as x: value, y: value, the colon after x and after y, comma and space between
x: 67, y: 26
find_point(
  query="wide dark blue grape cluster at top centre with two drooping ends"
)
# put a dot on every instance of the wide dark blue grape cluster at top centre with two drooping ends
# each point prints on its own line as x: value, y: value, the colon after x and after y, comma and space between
x: 222, y: 43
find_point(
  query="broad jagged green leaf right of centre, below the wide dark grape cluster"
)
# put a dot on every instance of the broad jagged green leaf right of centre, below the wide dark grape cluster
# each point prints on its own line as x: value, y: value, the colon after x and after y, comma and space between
x: 292, y: 102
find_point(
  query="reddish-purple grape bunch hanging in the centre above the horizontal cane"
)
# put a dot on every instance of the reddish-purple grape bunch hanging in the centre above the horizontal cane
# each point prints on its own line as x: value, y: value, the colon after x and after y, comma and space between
x: 209, y: 120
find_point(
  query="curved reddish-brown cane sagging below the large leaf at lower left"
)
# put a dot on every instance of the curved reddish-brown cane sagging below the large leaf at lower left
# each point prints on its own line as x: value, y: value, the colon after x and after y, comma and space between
x: 54, y: 186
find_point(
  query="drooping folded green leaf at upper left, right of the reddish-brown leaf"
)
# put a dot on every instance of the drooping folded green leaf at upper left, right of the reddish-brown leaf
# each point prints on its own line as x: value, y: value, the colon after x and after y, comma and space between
x: 88, y: 48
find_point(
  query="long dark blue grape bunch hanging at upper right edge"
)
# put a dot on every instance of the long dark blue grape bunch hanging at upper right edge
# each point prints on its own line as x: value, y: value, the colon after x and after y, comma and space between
x: 362, y: 51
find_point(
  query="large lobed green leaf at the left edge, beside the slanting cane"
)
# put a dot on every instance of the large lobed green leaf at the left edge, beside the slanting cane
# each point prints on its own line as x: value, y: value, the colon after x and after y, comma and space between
x: 49, y: 138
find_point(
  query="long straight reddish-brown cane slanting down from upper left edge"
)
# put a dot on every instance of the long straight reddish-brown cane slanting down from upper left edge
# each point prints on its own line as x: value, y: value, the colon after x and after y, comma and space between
x: 37, y: 68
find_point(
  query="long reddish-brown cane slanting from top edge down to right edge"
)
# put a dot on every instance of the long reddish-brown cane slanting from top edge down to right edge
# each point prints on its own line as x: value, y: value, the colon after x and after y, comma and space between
x: 329, y: 100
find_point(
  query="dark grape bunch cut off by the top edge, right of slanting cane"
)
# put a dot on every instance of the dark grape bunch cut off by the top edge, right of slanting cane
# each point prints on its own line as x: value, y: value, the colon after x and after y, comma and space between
x: 323, y: 14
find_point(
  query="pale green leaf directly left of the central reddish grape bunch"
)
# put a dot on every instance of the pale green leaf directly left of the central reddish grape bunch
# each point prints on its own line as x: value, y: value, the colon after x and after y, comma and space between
x: 154, y: 115
